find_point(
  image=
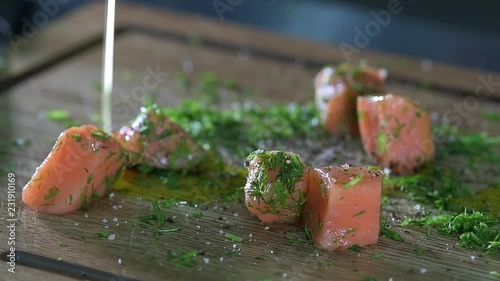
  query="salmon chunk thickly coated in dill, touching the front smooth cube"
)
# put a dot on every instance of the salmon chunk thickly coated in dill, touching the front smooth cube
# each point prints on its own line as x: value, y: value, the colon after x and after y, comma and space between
x: 276, y: 186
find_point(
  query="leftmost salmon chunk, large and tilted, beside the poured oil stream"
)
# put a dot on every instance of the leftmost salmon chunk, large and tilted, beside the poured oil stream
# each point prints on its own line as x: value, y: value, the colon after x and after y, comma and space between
x: 83, y: 164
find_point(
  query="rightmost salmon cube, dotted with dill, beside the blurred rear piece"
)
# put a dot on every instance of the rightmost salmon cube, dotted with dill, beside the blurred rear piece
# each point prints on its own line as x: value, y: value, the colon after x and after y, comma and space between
x: 396, y: 132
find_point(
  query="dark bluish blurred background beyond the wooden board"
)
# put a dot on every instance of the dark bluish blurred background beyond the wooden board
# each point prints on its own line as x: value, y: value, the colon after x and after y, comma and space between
x: 459, y: 32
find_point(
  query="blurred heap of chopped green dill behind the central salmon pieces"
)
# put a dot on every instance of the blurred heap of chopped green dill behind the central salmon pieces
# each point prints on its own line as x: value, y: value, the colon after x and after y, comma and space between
x: 241, y: 131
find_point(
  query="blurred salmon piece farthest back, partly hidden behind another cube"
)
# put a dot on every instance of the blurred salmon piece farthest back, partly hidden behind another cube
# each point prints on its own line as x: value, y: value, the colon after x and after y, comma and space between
x: 336, y: 92
